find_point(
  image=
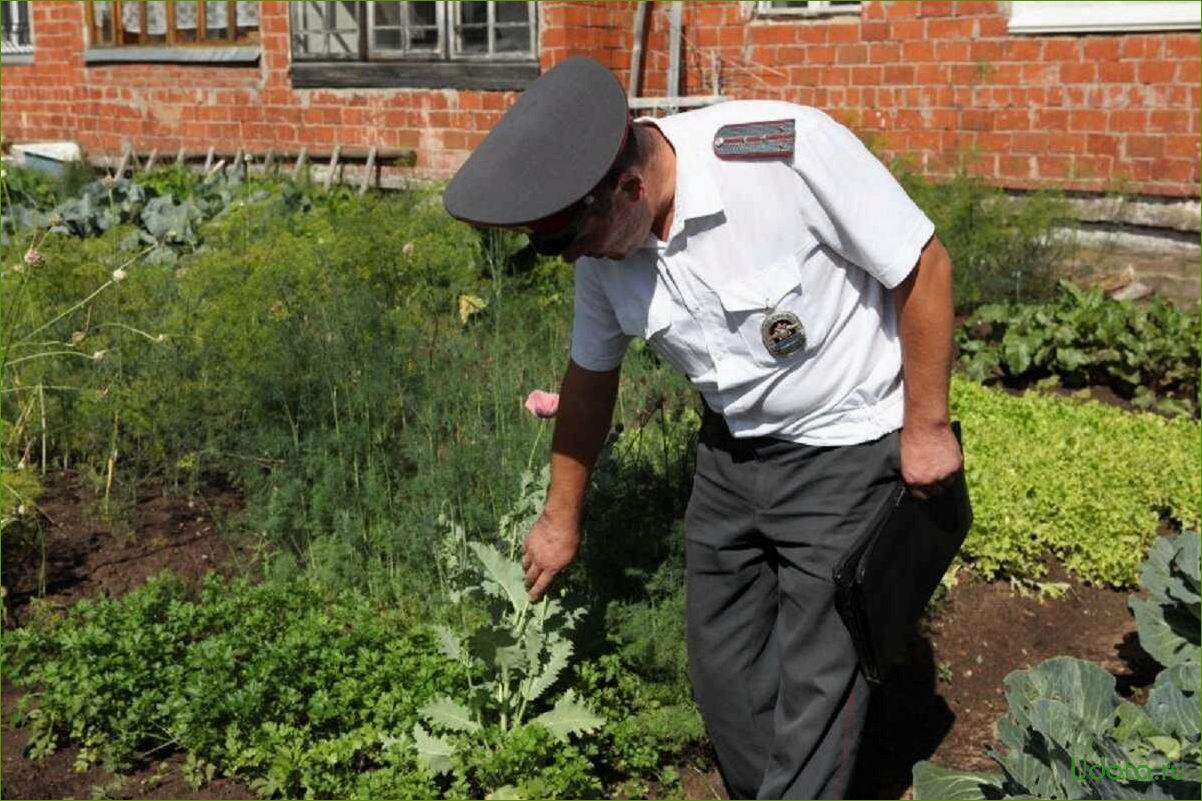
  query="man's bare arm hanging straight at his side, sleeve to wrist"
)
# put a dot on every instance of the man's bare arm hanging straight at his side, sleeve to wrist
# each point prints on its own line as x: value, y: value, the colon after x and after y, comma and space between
x: 925, y: 321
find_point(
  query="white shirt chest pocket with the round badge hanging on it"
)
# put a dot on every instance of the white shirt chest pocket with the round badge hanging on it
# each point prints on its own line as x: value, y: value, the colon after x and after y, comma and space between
x: 769, y: 316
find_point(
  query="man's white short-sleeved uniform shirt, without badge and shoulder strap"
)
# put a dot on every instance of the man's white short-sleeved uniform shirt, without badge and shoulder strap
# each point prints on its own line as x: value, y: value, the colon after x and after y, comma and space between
x: 825, y: 235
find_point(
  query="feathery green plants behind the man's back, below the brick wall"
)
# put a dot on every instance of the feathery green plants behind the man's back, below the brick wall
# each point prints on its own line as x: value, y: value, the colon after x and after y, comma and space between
x: 1002, y: 250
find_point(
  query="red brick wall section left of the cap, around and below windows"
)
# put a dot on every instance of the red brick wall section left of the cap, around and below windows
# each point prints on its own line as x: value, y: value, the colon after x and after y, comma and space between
x: 170, y: 106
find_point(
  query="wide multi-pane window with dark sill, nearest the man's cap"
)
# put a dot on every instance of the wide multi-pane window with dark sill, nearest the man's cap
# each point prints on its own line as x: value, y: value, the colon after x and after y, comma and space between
x: 435, y: 44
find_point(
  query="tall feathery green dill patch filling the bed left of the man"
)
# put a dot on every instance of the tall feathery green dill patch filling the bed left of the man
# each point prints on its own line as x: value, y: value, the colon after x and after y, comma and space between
x: 319, y: 361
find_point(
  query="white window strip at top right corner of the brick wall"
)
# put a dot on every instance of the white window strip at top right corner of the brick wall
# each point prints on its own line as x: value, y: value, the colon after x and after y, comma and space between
x: 1117, y: 16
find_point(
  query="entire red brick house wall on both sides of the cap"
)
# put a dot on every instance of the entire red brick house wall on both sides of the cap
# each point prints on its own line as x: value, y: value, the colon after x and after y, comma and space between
x: 932, y: 81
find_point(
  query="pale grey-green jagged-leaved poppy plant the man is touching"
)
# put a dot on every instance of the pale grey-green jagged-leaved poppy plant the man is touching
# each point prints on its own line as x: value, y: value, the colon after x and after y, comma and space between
x: 514, y: 652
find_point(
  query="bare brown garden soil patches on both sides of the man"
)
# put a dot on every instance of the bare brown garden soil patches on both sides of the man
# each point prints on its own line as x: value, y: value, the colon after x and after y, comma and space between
x: 942, y: 705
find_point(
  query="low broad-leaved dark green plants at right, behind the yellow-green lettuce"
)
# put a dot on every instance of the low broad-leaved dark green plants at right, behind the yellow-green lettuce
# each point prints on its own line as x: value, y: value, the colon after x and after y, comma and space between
x: 1150, y: 353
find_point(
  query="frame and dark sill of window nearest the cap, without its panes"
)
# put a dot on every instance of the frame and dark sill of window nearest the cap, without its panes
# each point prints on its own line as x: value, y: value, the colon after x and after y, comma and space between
x: 447, y: 68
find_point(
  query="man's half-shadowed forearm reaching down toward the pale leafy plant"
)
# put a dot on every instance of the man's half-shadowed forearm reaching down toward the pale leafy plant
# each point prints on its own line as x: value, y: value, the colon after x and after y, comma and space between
x: 586, y: 408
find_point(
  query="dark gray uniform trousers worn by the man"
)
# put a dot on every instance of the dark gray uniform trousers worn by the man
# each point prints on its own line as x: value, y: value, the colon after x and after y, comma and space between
x: 773, y: 668
